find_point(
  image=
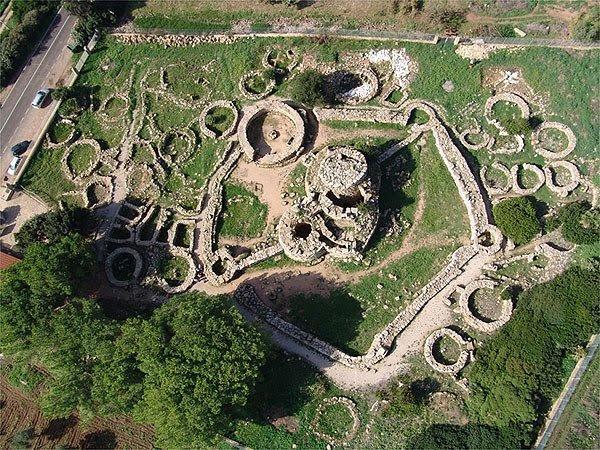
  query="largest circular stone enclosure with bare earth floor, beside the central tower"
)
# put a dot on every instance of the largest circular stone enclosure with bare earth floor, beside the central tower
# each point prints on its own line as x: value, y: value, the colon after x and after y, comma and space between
x: 271, y: 133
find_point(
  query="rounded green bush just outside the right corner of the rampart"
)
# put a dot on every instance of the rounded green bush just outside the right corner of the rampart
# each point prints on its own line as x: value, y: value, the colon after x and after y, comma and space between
x: 517, y: 219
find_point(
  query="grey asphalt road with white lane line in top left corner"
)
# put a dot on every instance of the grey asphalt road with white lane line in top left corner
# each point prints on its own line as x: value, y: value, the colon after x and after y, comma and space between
x: 34, y: 76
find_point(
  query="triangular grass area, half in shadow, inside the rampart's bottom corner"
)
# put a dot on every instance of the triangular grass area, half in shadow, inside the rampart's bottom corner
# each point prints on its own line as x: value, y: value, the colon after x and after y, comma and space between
x: 353, y: 314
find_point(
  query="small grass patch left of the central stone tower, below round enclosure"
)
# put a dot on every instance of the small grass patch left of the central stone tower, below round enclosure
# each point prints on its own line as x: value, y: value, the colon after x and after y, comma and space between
x: 243, y: 214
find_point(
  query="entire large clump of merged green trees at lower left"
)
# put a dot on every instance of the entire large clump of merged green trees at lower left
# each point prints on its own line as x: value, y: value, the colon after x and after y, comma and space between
x: 148, y: 367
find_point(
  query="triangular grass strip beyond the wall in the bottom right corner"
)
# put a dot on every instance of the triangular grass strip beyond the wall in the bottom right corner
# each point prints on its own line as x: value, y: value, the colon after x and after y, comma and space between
x: 579, y: 426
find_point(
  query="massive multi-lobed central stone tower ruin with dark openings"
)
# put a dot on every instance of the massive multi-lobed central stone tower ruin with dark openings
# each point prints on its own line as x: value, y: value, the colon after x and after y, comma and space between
x: 340, y: 211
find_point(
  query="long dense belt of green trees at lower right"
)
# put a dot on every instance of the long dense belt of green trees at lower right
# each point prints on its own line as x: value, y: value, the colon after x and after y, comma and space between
x: 519, y: 371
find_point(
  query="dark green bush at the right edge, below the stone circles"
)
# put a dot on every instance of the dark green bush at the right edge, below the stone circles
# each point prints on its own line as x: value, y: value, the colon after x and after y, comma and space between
x: 580, y: 223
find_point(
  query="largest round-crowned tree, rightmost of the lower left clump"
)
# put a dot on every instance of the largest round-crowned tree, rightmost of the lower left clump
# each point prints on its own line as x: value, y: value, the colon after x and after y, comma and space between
x: 201, y: 361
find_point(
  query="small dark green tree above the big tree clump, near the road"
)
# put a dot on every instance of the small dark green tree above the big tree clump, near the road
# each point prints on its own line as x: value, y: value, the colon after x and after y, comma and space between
x: 51, y: 226
